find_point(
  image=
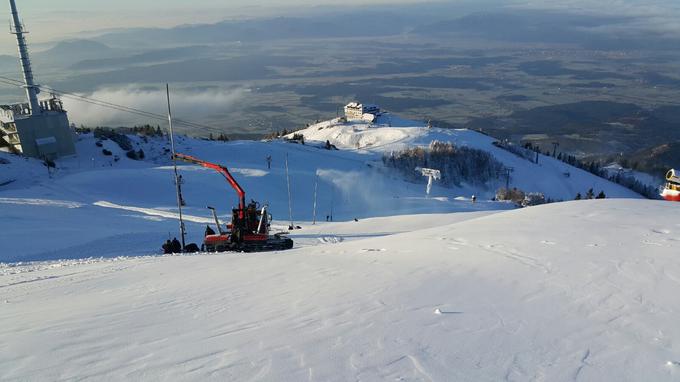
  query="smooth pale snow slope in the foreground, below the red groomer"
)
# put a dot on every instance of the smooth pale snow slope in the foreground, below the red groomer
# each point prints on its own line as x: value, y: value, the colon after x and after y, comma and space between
x: 569, y: 291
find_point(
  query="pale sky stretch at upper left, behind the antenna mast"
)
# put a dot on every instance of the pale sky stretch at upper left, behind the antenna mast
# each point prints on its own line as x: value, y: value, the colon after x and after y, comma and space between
x: 48, y: 20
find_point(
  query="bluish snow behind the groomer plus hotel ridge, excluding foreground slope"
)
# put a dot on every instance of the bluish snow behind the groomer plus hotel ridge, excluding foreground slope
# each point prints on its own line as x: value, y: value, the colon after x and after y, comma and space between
x: 102, y: 203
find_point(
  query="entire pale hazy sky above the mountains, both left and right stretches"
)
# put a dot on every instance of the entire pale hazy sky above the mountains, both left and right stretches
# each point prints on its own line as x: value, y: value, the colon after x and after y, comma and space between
x: 50, y: 20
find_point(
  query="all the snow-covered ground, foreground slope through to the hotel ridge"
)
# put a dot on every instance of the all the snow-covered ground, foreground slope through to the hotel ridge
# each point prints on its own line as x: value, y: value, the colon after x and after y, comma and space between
x: 419, y: 288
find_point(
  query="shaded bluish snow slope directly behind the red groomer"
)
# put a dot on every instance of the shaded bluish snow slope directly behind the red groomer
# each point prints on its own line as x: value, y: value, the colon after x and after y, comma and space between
x: 94, y: 206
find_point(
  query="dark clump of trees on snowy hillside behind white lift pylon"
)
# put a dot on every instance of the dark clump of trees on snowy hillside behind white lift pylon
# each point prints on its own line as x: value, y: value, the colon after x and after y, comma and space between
x: 457, y: 164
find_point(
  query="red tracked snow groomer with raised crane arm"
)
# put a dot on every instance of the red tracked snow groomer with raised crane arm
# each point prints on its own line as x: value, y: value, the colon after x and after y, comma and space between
x: 249, y: 227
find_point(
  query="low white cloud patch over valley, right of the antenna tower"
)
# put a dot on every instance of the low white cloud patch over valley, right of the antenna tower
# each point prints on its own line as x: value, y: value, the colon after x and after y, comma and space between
x: 194, y: 105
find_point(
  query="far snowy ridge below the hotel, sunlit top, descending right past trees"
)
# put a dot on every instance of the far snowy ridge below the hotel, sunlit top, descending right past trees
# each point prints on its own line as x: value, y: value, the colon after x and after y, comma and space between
x: 392, y: 133
